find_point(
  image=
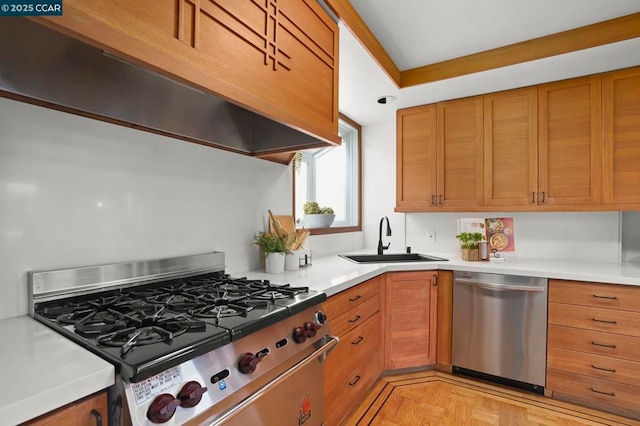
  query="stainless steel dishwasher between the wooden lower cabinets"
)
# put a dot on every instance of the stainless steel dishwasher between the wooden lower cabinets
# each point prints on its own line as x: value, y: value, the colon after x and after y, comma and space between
x: 500, y: 328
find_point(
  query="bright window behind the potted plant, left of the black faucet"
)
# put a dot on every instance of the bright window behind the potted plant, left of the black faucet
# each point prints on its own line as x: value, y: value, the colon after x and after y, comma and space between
x: 331, y: 177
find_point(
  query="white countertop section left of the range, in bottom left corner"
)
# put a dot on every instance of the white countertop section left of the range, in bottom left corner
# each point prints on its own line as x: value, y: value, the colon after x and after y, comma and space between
x: 42, y: 370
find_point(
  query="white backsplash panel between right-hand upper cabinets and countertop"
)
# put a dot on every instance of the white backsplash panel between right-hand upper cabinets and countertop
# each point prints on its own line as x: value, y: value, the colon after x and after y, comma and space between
x: 566, y: 235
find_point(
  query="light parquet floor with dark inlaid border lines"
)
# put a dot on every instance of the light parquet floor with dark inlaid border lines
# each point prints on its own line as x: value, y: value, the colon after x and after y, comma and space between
x: 440, y: 399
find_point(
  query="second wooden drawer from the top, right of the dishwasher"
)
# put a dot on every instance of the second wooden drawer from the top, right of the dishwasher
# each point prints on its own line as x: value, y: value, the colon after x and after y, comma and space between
x: 599, y: 319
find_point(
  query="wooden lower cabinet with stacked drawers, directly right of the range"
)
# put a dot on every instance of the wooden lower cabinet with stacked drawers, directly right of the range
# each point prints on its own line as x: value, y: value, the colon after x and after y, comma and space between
x: 356, y: 363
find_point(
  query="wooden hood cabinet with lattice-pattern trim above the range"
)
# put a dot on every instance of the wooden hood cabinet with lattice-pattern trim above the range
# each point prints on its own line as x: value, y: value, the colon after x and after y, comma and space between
x: 275, y: 57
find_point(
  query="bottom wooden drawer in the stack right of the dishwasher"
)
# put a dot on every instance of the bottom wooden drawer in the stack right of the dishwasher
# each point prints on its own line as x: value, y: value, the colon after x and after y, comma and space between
x: 598, y: 391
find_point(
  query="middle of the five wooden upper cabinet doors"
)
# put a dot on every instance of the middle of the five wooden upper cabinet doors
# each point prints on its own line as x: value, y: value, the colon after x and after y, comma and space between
x: 511, y: 147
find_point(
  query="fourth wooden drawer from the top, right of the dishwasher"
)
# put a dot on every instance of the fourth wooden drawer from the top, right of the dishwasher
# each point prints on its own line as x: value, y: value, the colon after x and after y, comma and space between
x: 597, y: 366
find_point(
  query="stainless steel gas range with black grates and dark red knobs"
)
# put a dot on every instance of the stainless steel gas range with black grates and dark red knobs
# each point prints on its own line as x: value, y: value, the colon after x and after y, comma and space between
x: 190, y: 344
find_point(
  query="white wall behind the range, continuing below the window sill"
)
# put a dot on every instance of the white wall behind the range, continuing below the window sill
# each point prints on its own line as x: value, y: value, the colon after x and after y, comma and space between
x: 77, y: 192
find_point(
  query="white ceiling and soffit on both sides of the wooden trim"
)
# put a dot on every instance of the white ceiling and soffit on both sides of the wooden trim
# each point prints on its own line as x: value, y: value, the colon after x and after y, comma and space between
x: 421, y: 32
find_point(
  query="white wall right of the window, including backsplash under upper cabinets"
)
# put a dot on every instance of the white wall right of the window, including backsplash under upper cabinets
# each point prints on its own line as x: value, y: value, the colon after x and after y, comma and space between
x: 590, y: 235
